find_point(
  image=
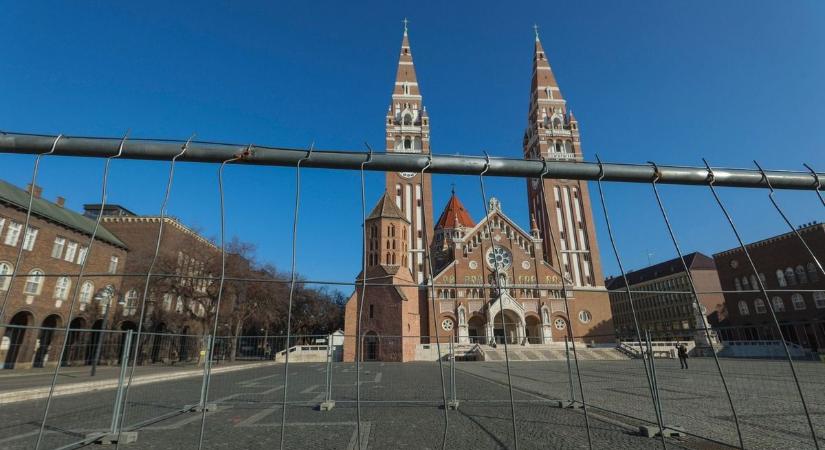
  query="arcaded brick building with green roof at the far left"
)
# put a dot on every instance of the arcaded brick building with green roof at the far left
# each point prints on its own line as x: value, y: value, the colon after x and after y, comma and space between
x: 55, y: 245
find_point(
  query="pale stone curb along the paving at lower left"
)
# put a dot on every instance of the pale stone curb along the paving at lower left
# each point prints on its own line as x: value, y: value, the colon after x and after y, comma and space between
x: 91, y: 386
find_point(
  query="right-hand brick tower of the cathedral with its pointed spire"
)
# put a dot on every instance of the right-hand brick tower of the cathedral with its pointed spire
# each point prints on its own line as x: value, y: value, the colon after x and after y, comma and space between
x: 553, y: 133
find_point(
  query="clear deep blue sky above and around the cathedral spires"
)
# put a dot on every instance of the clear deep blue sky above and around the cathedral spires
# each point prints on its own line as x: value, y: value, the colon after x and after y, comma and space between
x: 648, y: 80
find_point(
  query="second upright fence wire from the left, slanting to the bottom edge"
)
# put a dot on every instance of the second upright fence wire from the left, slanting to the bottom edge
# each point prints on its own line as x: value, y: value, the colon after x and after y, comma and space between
x: 81, y: 272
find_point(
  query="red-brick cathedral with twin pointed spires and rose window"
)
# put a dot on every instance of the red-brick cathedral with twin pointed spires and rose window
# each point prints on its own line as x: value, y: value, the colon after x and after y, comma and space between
x: 402, y: 314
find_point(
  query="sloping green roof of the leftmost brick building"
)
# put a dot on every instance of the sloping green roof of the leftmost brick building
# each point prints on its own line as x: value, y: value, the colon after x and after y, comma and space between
x: 19, y: 198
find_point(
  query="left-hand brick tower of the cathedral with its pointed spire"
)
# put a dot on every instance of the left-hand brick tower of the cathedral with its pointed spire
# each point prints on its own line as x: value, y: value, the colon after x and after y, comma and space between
x: 408, y: 131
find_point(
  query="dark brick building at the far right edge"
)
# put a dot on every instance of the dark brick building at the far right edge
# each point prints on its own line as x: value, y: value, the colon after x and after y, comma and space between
x: 794, y: 282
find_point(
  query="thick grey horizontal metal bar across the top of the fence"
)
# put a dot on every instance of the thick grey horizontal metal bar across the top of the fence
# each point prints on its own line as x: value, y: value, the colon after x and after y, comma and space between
x: 164, y: 150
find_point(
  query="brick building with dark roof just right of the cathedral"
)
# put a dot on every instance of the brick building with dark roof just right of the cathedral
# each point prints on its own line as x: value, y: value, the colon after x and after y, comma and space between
x: 664, y: 302
